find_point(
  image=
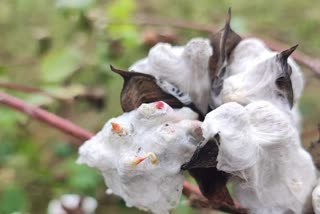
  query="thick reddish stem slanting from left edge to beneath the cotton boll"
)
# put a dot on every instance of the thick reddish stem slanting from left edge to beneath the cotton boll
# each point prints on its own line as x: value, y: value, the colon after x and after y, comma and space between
x: 69, y: 128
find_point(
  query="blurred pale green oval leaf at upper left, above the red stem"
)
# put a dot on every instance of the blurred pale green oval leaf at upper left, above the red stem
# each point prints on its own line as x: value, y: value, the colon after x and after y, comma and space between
x: 60, y: 64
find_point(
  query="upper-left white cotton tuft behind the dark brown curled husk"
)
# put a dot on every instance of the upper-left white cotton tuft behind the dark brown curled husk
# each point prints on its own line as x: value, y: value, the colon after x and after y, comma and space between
x: 186, y: 69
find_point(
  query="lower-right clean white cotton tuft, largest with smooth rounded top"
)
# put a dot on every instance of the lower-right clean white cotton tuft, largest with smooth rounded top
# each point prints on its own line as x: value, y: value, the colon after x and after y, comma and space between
x: 261, y: 147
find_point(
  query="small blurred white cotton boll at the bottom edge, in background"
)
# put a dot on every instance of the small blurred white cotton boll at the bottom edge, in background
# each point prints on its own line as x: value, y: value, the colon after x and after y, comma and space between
x: 87, y: 205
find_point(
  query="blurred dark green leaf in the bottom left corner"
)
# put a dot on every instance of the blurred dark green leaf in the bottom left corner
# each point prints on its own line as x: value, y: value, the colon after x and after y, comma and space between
x: 12, y: 199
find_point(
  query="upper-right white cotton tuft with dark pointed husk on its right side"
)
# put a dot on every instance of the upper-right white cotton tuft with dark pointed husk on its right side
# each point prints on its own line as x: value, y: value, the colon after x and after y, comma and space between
x: 254, y: 73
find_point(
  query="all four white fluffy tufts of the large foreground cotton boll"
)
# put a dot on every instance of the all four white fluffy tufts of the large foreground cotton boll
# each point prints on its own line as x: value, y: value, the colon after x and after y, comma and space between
x: 254, y: 121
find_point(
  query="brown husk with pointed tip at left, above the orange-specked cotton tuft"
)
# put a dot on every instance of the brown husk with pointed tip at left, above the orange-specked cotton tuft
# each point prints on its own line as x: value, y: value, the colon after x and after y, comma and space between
x: 141, y: 88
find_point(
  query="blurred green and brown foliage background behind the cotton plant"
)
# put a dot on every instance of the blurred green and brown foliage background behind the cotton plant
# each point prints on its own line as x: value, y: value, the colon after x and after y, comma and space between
x: 66, y: 46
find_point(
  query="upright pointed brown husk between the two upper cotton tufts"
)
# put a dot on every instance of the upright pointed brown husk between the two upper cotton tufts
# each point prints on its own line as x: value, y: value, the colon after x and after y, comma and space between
x: 223, y: 42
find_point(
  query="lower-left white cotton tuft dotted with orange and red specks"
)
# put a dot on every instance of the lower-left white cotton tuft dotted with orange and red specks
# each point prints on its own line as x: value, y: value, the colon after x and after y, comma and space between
x: 140, y: 153
